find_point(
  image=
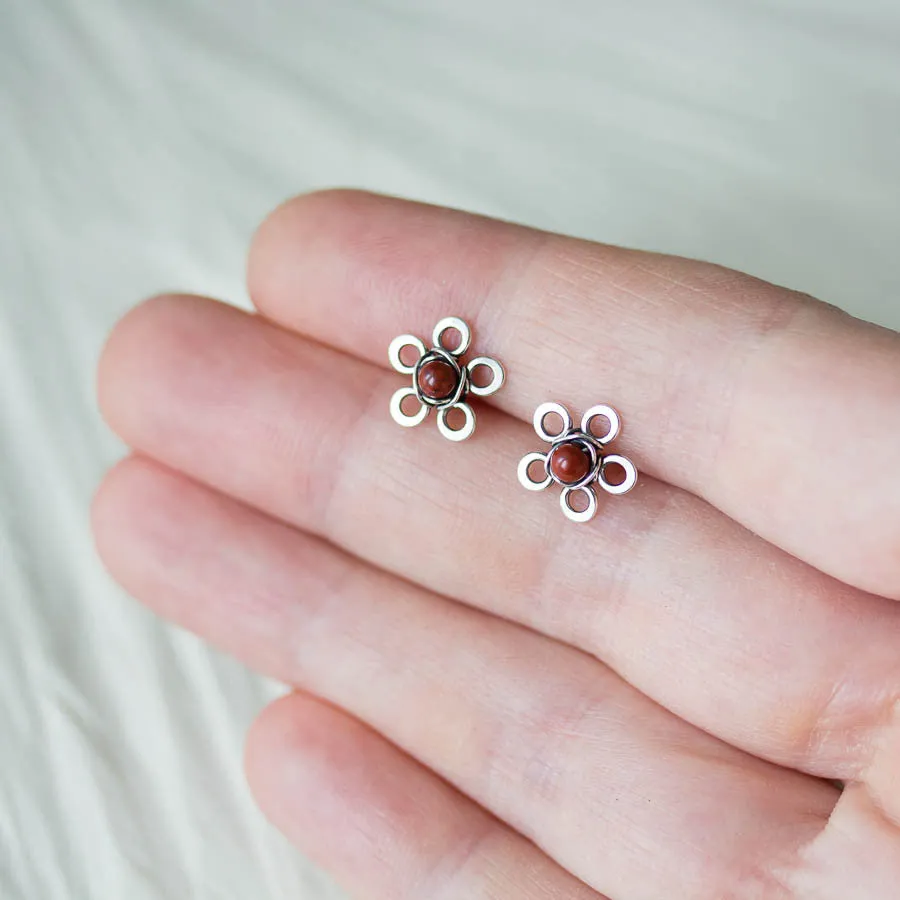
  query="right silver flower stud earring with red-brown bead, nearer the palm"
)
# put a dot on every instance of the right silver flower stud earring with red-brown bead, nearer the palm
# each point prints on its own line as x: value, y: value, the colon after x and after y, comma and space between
x: 577, y: 459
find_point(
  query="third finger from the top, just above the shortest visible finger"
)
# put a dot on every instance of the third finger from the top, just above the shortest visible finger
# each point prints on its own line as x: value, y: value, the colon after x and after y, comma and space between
x: 627, y: 797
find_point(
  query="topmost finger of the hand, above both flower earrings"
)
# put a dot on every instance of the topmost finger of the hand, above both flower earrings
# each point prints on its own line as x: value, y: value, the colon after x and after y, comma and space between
x: 779, y: 410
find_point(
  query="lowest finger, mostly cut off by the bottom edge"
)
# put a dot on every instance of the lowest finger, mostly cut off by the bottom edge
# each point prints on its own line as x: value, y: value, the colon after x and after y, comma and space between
x: 386, y: 827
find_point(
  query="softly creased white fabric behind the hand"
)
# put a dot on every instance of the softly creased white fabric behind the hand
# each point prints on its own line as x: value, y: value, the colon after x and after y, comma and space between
x: 142, y: 140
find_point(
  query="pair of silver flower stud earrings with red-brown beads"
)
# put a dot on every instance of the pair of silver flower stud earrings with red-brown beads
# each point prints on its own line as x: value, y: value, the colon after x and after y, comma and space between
x: 577, y: 459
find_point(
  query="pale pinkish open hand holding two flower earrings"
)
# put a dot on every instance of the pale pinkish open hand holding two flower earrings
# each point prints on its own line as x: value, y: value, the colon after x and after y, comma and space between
x: 490, y: 701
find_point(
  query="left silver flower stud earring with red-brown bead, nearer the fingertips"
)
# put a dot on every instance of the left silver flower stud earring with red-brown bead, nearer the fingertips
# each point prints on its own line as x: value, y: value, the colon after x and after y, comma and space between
x: 439, y: 379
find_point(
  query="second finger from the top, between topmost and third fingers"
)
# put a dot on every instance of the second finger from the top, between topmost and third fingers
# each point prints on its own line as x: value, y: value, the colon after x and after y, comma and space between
x: 769, y: 654
